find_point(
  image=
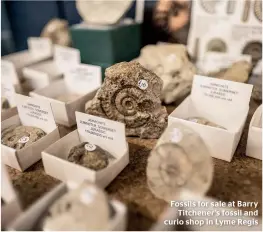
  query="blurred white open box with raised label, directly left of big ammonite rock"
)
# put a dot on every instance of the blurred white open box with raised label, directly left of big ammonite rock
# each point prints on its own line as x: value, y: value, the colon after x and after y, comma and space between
x: 83, y: 80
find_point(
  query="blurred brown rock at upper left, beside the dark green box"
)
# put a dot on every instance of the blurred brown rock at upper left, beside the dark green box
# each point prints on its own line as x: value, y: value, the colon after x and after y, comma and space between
x: 58, y: 31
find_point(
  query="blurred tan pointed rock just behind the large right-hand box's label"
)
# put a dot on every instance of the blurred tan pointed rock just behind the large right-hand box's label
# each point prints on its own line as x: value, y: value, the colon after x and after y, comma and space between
x: 239, y: 71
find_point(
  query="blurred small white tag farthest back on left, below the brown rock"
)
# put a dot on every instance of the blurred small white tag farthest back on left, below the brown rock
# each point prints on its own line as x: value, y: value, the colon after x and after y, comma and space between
x: 40, y: 46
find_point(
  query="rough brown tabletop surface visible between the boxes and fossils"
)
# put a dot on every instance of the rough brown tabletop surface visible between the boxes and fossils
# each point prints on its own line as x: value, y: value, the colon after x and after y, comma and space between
x: 239, y: 180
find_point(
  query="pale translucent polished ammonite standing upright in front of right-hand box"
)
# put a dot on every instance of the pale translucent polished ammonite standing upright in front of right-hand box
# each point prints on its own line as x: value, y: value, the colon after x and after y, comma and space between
x: 180, y: 161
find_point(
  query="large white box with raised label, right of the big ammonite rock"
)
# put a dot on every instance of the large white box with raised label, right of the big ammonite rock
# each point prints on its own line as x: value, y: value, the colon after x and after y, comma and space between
x: 222, y: 102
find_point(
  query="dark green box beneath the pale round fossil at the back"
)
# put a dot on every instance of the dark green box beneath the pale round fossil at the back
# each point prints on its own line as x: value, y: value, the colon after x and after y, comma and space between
x: 107, y: 44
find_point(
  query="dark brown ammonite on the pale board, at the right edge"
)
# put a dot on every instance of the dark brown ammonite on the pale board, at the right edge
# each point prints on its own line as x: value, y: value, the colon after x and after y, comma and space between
x: 254, y: 49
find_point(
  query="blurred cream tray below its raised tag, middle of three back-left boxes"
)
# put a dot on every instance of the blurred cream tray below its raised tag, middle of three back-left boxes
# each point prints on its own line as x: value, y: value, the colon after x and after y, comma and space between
x: 41, y: 74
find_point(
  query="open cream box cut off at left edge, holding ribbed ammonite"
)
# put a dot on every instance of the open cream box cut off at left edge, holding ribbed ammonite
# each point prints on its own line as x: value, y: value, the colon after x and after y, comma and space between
x: 36, y: 113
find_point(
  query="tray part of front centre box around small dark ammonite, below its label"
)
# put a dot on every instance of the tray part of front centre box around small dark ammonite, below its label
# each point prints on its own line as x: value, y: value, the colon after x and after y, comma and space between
x: 56, y: 164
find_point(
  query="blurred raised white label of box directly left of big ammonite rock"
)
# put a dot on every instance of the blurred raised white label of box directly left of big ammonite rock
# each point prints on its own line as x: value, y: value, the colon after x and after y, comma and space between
x: 83, y: 78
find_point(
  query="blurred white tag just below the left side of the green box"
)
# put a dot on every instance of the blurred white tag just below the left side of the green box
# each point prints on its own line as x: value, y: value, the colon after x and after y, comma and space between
x: 66, y: 58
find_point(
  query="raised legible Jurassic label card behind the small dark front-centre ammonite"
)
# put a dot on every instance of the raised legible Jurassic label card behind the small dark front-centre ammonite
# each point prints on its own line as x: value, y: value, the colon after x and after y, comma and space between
x: 108, y: 134
